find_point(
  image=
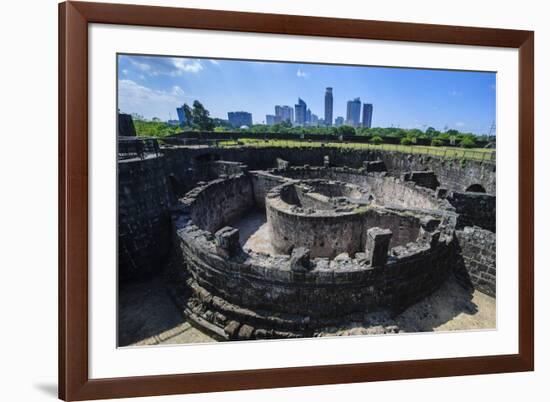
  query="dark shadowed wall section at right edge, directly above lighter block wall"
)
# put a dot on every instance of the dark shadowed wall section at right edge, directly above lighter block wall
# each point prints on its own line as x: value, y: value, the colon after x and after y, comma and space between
x: 474, y: 209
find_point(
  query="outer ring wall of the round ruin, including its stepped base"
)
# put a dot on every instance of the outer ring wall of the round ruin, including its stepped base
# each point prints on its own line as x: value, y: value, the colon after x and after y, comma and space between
x: 278, y: 296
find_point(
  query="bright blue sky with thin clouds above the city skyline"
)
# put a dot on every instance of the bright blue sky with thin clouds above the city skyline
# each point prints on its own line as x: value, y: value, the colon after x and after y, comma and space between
x: 154, y: 86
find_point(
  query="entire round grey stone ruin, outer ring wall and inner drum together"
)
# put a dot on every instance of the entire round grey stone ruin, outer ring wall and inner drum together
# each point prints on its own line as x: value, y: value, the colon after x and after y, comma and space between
x: 346, y: 243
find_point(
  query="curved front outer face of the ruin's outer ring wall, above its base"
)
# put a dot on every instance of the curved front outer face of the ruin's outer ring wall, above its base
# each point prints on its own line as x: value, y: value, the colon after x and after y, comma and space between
x: 264, y: 291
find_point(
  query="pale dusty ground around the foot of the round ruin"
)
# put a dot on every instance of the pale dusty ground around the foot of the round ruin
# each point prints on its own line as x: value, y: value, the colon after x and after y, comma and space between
x: 148, y: 316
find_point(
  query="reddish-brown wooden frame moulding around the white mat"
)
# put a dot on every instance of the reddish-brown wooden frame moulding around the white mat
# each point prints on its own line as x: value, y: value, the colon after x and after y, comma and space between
x: 74, y: 17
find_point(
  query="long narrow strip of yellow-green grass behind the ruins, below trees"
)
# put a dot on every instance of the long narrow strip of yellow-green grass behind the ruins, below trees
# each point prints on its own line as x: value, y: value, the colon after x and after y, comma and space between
x: 446, y: 152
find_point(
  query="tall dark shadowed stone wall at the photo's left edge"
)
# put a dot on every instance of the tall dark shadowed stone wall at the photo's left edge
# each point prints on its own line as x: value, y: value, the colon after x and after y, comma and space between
x: 144, y: 233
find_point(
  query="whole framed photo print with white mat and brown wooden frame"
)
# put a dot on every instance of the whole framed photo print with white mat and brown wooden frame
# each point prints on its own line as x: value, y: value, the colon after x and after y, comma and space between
x: 260, y: 200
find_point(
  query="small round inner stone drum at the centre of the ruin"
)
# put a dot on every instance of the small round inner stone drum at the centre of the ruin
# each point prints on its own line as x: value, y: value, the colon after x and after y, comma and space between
x: 327, y: 217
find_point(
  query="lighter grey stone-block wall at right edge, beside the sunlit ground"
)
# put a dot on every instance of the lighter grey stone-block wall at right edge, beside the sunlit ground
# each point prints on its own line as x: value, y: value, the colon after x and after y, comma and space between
x: 476, y: 263
